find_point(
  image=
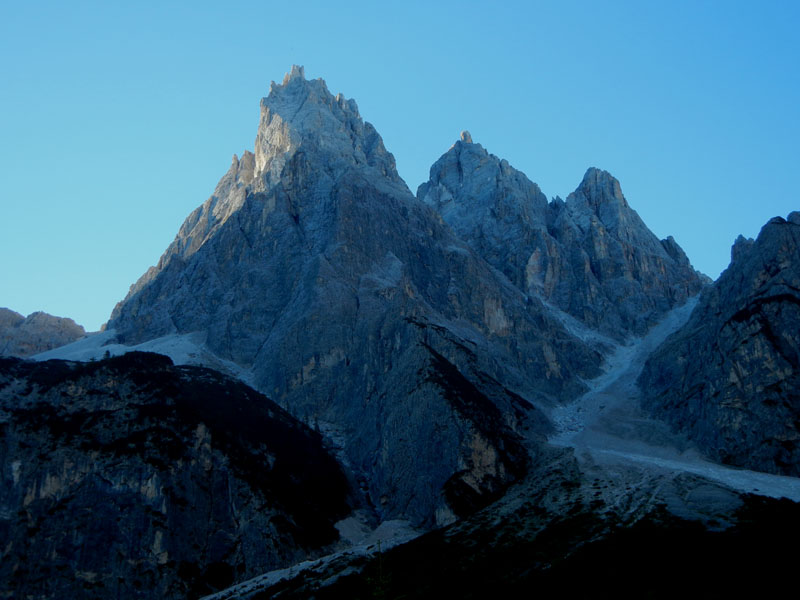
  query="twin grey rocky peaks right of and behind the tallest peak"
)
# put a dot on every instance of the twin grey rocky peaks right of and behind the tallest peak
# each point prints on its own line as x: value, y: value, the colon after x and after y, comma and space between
x: 592, y: 256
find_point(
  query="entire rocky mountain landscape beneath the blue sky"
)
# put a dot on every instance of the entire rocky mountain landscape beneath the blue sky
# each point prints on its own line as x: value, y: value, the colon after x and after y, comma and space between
x: 416, y: 359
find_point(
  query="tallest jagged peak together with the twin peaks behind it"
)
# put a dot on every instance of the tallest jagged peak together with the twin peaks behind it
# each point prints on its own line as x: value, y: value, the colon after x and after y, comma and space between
x: 357, y: 307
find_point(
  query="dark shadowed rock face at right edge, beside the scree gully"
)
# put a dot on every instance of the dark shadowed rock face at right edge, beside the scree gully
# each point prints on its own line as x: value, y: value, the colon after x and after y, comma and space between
x: 730, y: 377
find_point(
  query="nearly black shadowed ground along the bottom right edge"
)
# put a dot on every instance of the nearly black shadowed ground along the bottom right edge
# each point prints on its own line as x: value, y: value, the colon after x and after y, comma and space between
x: 577, y: 555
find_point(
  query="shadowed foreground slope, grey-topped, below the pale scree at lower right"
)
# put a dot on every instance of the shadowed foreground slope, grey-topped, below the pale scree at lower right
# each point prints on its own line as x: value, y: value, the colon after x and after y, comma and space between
x: 567, y: 531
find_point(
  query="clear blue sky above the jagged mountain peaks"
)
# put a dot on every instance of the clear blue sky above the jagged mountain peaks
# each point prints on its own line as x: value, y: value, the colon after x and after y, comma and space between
x: 117, y: 119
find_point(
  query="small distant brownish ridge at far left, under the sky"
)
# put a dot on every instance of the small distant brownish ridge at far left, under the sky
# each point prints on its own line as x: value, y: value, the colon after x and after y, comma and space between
x: 38, y: 332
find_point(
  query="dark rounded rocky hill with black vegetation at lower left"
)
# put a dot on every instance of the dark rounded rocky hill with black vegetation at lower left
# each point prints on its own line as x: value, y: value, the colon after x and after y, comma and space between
x: 132, y: 478
